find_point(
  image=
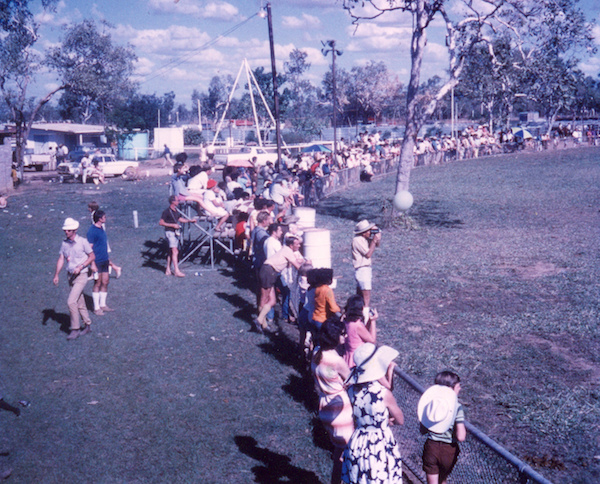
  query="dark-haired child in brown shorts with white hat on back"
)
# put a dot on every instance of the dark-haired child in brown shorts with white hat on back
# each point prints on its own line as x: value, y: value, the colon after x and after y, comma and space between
x: 442, y: 420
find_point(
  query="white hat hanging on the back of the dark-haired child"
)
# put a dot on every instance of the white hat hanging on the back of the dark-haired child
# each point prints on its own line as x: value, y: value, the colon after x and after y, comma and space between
x: 437, y: 408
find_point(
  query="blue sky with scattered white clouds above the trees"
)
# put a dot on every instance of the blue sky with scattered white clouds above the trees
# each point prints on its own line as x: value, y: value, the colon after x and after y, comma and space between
x: 182, y: 44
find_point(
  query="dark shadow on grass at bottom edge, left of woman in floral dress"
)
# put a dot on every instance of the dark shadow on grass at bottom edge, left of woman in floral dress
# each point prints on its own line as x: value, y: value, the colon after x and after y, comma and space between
x: 275, y: 468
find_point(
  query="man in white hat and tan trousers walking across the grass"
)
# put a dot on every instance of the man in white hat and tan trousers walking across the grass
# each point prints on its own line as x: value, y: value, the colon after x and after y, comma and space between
x: 78, y: 254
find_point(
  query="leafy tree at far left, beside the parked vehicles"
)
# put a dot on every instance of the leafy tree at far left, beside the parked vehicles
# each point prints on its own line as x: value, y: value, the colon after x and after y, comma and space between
x: 83, y: 66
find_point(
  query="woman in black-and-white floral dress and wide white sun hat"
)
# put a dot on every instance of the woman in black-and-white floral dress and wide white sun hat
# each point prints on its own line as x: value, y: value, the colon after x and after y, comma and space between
x: 372, y: 455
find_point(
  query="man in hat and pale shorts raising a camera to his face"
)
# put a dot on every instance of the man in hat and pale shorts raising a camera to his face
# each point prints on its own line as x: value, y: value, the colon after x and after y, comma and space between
x: 366, y: 240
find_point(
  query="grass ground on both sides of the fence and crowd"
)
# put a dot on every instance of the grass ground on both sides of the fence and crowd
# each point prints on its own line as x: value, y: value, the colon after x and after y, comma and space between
x: 499, y: 282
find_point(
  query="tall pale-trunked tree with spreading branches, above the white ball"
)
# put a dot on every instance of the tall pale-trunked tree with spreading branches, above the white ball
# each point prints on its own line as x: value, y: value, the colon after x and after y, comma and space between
x: 530, y: 24
